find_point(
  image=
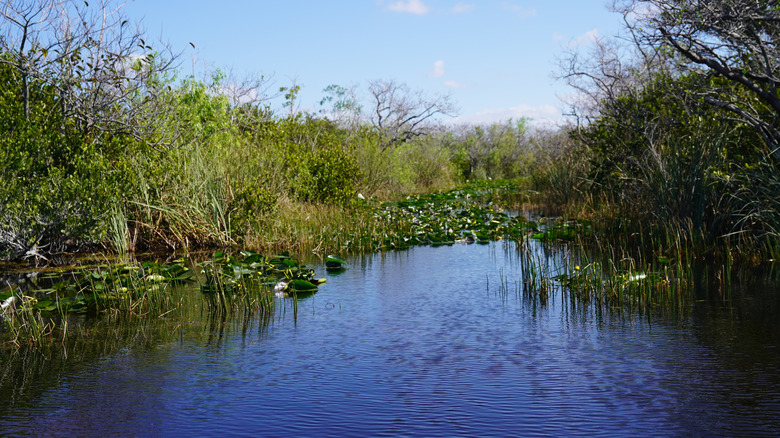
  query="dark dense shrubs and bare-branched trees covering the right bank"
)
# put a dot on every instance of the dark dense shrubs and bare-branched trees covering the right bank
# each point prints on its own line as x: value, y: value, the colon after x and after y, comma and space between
x: 678, y: 134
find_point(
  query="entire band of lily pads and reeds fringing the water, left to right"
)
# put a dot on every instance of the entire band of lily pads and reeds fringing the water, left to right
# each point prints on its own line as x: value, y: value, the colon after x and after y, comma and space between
x: 593, y: 266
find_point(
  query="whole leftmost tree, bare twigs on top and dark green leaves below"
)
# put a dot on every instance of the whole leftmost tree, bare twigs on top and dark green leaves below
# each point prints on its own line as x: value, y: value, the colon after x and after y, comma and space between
x: 84, y: 94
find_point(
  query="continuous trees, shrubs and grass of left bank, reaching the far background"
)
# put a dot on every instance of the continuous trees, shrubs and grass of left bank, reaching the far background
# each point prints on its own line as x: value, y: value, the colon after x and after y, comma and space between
x: 134, y: 157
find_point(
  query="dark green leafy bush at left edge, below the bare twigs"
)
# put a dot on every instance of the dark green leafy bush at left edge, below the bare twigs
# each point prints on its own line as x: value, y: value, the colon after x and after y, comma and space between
x: 59, y: 183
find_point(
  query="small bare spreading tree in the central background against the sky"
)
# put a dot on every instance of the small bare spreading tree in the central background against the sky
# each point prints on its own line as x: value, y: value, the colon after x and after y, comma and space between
x: 400, y: 114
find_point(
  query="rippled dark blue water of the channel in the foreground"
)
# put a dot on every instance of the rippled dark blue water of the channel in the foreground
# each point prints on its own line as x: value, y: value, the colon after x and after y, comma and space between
x: 422, y: 342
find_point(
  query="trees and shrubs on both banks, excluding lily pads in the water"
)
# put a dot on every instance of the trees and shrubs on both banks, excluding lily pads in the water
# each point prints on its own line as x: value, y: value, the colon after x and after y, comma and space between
x: 104, y: 143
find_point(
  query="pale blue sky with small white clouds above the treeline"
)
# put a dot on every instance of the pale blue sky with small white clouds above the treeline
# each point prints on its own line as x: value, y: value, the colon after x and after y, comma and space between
x: 495, y: 58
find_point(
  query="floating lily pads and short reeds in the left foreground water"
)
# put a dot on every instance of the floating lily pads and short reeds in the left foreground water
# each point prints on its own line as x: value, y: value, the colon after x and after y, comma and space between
x: 39, y: 313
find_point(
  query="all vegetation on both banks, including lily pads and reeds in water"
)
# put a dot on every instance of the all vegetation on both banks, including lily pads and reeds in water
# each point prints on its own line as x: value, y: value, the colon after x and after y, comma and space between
x: 106, y: 149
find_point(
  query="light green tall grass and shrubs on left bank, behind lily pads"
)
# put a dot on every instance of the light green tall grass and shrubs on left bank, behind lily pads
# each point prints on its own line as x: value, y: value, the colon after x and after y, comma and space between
x: 254, y: 192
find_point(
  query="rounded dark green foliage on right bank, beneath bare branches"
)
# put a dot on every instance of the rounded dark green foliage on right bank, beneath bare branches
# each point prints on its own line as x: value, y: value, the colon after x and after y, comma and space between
x: 670, y: 161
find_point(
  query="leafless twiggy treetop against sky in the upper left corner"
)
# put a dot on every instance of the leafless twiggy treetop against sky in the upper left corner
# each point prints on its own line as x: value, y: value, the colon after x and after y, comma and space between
x: 106, y: 76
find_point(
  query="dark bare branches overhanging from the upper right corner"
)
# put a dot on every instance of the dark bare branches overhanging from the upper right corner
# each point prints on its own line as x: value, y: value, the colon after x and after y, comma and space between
x: 735, y: 39
